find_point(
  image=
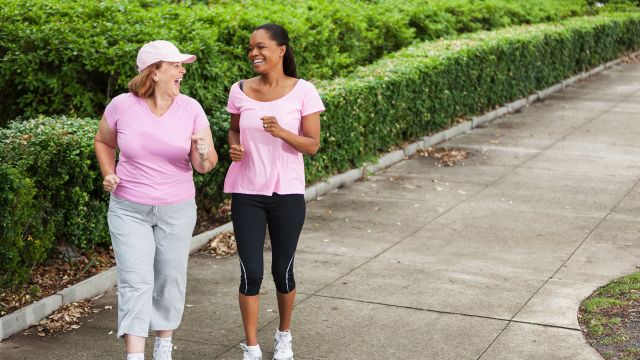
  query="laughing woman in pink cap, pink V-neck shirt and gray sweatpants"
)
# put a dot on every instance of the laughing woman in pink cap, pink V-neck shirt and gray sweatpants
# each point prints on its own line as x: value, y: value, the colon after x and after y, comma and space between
x: 162, y: 136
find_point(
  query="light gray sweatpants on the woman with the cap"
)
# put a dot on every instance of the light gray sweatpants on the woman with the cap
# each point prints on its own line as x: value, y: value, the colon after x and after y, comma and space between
x: 151, y: 245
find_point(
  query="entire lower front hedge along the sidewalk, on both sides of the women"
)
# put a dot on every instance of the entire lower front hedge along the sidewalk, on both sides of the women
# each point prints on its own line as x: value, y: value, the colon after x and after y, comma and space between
x: 403, y: 96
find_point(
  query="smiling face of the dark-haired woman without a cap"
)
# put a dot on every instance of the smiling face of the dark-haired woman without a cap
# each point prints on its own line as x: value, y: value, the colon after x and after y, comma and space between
x: 264, y: 53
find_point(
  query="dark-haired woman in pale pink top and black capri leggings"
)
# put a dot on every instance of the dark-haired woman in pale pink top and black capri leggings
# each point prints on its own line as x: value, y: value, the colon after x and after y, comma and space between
x: 275, y: 119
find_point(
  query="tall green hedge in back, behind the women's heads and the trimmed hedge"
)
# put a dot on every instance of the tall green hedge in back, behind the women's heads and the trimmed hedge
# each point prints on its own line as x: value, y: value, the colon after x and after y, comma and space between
x: 71, y: 56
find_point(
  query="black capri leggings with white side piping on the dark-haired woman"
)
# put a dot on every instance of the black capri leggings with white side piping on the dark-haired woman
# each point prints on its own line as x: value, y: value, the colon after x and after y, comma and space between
x: 285, y: 216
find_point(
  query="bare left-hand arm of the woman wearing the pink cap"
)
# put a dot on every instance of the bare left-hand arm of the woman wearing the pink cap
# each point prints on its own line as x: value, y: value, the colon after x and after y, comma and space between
x: 105, y: 143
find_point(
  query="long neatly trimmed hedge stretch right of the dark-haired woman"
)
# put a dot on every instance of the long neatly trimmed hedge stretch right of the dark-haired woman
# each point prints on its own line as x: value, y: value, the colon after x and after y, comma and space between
x: 427, y: 86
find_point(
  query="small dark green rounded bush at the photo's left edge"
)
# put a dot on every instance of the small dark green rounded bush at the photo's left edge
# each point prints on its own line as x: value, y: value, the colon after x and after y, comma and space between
x: 24, y: 238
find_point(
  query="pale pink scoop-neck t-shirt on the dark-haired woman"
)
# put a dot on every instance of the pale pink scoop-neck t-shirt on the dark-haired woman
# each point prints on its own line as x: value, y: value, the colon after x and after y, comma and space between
x: 270, y: 165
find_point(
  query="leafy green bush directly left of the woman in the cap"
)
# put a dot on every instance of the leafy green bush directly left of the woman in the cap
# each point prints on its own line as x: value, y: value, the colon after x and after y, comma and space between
x: 57, y: 155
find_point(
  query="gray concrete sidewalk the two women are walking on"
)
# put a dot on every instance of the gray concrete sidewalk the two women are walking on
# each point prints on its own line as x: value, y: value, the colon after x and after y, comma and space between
x: 486, y: 260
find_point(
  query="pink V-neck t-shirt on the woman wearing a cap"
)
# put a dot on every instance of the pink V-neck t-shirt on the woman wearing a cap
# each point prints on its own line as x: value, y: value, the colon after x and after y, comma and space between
x: 154, y: 166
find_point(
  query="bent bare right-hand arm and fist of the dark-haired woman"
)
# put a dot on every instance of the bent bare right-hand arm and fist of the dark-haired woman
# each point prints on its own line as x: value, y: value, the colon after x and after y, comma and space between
x: 307, y: 143
